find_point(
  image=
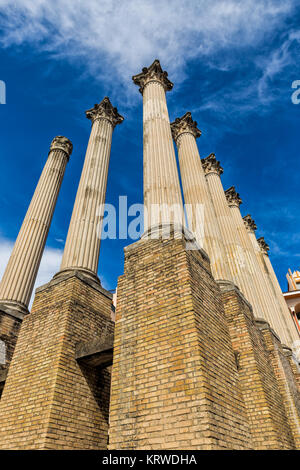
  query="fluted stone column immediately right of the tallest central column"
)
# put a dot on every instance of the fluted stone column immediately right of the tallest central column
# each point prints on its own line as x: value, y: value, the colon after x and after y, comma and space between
x: 200, y: 212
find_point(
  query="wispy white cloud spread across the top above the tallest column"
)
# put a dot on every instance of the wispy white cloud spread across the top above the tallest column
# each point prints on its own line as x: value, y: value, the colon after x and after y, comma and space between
x: 125, y: 35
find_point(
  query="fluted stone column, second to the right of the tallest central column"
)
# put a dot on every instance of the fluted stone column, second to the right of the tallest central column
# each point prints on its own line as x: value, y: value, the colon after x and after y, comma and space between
x: 236, y: 256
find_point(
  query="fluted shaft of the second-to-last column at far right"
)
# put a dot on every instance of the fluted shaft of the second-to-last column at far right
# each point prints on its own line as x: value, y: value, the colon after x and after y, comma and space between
x: 285, y: 326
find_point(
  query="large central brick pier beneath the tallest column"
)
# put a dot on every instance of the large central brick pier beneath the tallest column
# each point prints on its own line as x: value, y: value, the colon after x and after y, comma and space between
x: 174, y: 380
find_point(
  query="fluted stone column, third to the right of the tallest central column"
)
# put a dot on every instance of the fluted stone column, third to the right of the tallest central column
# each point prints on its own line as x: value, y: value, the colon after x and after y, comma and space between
x: 261, y: 291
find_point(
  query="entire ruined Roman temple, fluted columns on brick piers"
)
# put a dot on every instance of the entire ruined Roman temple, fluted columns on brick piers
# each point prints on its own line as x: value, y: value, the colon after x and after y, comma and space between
x: 202, y: 351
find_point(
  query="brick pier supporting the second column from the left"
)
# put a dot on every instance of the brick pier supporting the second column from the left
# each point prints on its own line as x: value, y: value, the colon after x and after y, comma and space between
x: 49, y: 402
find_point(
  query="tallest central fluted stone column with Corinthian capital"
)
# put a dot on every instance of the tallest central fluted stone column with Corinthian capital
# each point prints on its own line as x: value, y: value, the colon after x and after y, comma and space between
x: 161, y: 182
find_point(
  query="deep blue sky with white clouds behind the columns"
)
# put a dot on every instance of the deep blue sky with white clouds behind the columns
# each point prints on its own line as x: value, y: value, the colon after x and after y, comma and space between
x: 232, y: 64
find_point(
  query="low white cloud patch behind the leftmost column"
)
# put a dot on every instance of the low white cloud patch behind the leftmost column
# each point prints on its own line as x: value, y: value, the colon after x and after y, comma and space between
x: 50, y: 263
